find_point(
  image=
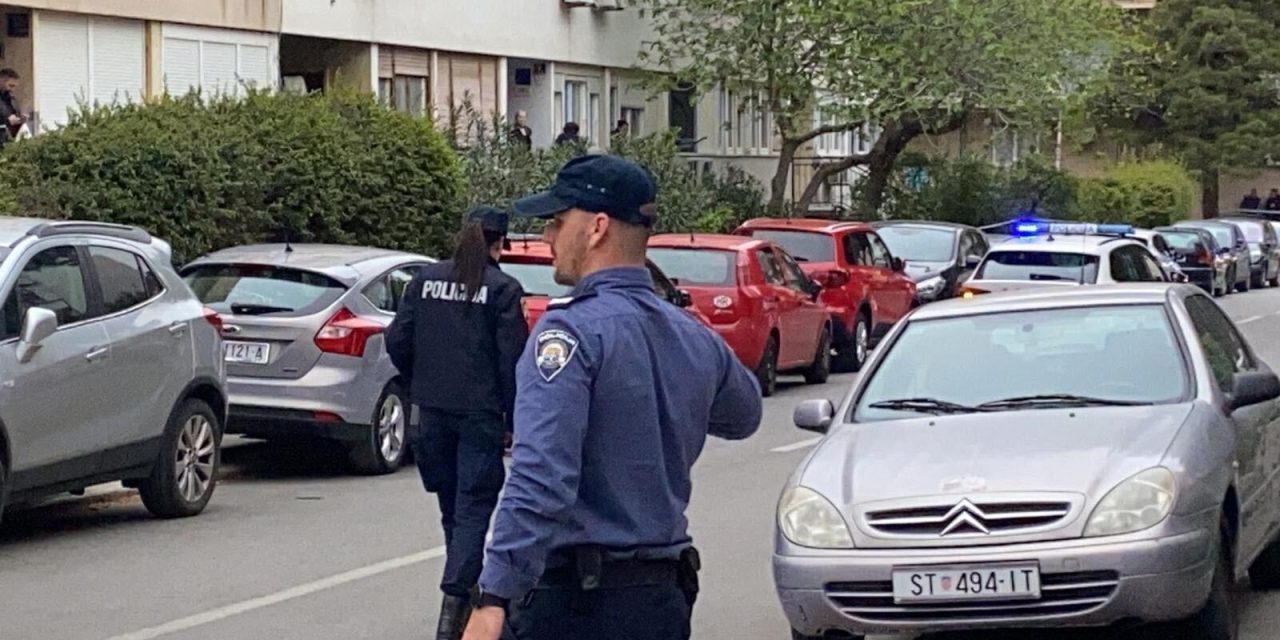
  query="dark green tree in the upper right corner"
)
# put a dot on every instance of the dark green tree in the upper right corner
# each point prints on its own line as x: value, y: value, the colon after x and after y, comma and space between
x: 1205, y: 85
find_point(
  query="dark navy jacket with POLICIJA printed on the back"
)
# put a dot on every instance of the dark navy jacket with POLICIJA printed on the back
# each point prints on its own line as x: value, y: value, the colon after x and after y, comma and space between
x: 459, y: 349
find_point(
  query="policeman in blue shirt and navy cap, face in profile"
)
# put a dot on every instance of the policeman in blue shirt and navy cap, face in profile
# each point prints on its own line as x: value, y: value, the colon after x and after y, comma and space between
x: 618, y: 391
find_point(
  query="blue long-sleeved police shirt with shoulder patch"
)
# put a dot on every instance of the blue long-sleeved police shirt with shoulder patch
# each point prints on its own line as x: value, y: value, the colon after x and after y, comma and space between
x: 618, y: 391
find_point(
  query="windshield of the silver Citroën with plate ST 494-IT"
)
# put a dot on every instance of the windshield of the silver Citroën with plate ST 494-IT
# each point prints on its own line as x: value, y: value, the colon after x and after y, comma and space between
x: 1117, y: 354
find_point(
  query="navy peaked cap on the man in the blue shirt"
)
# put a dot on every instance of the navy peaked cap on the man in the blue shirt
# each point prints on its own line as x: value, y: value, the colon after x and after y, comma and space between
x: 597, y: 184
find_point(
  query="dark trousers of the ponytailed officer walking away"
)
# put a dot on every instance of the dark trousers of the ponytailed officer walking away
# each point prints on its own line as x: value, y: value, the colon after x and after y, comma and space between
x: 460, y: 460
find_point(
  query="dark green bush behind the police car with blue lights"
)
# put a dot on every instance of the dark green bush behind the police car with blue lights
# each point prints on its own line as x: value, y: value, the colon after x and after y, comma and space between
x: 970, y: 190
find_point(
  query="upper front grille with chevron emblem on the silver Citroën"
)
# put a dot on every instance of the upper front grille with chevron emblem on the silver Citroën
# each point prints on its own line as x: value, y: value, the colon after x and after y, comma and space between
x: 967, y: 519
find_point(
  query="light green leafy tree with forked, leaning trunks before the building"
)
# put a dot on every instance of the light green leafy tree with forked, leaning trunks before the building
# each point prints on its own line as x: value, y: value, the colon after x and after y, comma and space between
x: 904, y: 70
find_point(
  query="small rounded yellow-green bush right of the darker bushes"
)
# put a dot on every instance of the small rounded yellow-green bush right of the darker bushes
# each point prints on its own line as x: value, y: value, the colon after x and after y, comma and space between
x: 1141, y: 194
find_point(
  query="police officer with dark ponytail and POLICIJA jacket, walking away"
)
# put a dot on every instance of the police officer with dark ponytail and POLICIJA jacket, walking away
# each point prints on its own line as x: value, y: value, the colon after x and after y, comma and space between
x: 456, y: 337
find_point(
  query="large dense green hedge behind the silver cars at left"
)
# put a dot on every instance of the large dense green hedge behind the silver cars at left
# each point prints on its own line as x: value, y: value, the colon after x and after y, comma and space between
x: 213, y: 172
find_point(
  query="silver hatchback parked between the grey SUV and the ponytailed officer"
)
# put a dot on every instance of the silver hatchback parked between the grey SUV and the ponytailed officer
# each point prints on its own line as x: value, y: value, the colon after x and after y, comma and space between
x: 304, y: 344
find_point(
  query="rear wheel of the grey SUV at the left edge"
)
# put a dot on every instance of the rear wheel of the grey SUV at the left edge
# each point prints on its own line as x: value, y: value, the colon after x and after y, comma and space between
x: 186, y: 473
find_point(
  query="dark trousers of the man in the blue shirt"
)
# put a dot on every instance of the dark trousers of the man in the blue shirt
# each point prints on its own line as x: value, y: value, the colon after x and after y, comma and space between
x: 651, y: 612
